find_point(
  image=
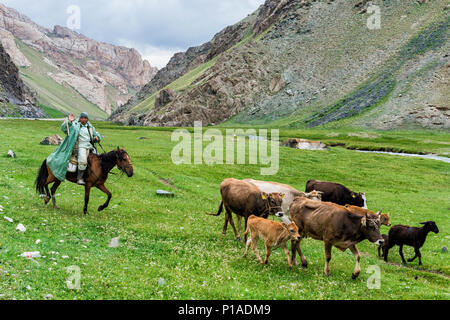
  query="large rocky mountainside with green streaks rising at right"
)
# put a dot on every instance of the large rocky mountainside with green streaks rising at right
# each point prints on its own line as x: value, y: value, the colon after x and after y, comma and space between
x: 306, y: 63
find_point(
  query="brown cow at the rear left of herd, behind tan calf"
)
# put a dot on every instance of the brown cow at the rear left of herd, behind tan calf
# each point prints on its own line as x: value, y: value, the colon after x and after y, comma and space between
x: 244, y: 198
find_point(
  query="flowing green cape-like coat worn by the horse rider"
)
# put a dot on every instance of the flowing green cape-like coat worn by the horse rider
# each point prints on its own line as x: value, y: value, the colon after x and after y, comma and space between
x: 58, y: 161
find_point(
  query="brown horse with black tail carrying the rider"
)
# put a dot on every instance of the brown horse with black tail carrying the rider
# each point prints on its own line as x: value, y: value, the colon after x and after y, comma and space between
x: 95, y: 176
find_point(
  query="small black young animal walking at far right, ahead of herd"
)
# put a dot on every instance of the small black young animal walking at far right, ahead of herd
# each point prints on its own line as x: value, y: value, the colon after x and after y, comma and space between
x: 411, y: 236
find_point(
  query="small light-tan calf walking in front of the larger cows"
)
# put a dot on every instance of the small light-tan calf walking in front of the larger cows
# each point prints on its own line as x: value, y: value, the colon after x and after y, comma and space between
x: 274, y: 234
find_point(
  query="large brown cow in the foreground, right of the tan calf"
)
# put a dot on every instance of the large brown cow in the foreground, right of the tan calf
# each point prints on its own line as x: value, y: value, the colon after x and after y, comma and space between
x: 336, y: 226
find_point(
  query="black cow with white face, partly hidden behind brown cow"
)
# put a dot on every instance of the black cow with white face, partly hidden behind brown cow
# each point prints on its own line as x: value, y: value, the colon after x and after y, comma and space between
x: 337, y: 193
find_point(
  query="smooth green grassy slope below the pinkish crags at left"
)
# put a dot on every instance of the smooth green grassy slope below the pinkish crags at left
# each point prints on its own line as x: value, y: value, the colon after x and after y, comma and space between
x: 50, y: 93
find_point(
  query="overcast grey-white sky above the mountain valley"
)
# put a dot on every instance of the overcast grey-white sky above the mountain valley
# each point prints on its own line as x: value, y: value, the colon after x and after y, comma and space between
x: 156, y: 28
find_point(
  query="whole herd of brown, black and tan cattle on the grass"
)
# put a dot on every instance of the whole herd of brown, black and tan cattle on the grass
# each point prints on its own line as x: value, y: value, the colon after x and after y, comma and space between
x: 326, y: 211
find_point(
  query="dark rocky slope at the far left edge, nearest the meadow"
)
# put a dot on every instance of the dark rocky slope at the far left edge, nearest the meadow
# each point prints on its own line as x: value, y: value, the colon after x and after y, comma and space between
x: 16, y: 99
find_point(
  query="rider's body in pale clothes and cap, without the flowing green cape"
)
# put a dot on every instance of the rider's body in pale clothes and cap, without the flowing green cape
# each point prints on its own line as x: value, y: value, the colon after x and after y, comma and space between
x: 87, y: 136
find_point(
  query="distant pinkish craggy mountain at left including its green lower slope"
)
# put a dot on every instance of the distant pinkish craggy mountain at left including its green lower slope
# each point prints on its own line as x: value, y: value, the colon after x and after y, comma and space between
x: 58, y: 63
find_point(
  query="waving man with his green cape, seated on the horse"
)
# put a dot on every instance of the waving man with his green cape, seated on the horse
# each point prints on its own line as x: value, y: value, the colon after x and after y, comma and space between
x: 81, y: 134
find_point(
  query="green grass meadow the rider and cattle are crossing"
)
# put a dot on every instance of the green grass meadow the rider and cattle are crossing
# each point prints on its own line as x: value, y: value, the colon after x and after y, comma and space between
x: 172, y: 238
